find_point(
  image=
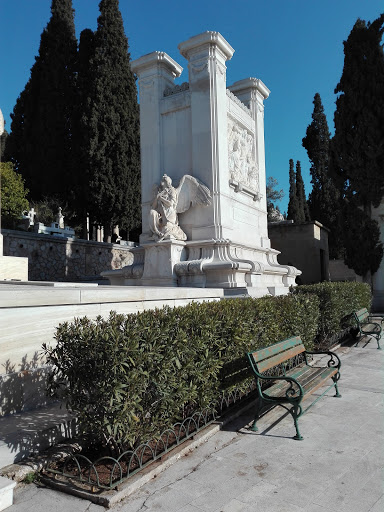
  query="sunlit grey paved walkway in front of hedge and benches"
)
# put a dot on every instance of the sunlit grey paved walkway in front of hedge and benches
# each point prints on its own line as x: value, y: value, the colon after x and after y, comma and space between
x: 338, y: 466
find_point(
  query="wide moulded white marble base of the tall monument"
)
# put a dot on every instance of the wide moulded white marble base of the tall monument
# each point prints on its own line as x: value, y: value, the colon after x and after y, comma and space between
x: 207, y: 264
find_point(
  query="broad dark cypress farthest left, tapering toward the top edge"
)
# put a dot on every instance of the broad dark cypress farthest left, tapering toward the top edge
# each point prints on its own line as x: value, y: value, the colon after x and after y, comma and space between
x: 40, y: 142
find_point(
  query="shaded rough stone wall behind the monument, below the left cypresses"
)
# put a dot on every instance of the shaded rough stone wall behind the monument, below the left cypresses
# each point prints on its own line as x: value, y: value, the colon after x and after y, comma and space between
x: 52, y: 258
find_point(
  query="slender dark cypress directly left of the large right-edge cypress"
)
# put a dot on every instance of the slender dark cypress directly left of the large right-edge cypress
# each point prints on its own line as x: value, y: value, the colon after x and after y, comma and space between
x: 324, y: 199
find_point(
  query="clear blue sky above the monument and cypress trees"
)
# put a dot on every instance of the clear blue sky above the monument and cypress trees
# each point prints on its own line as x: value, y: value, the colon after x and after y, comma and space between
x: 294, y: 46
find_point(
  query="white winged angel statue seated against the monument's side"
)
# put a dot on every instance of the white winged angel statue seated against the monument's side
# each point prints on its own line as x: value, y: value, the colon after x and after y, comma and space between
x: 170, y: 201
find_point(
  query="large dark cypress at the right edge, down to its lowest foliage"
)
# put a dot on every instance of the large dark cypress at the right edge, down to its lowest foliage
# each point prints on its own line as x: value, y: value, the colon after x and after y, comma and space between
x: 358, y: 143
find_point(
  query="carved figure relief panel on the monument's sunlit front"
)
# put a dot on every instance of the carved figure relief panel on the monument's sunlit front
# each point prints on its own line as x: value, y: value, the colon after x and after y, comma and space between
x: 241, y: 160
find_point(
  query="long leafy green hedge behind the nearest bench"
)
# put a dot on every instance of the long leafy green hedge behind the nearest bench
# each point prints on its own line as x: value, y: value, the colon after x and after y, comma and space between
x: 129, y: 377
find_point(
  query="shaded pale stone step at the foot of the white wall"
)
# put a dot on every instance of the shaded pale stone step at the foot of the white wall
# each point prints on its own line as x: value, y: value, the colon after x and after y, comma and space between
x: 28, y: 433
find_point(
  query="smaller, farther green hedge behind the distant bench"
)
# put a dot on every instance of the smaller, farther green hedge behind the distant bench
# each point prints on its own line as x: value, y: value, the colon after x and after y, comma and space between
x: 337, y: 301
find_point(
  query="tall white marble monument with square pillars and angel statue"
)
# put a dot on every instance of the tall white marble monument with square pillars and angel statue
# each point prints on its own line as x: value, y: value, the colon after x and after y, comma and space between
x: 211, y: 231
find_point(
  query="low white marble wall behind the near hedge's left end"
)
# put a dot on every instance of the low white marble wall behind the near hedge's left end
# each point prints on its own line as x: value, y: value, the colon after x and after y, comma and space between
x: 29, y: 315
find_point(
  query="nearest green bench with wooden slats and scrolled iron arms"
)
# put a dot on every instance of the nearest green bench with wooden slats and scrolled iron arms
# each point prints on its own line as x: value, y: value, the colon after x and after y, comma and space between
x: 280, y: 382
